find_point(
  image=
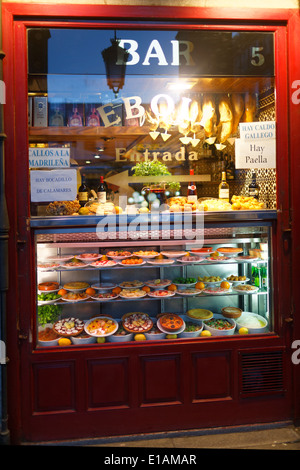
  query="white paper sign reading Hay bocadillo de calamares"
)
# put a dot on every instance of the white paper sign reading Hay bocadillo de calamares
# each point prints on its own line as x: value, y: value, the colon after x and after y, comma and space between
x: 53, y: 185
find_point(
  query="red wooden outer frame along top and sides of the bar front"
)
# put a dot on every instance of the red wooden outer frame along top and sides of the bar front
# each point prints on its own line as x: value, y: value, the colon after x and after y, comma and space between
x: 287, y: 24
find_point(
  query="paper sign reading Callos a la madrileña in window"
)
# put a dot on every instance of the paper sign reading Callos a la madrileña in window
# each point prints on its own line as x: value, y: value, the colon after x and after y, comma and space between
x: 49, y: 157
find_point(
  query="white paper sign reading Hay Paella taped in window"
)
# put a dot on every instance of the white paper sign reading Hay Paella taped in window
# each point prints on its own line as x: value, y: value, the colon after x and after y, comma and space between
x: 255, y: 153
